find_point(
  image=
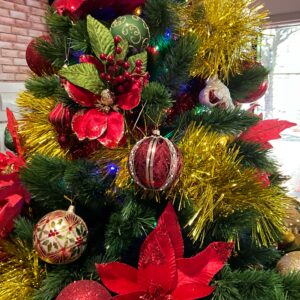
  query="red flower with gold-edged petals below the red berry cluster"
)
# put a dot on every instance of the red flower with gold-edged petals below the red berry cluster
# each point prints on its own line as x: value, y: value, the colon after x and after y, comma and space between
x: 101, y: 118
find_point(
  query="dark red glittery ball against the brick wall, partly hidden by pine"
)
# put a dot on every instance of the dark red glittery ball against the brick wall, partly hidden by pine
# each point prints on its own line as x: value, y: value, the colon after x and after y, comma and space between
x: 35, y: 61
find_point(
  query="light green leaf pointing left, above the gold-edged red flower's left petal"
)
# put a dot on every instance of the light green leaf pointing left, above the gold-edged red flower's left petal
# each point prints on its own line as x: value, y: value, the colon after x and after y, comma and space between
x: 84, y: 75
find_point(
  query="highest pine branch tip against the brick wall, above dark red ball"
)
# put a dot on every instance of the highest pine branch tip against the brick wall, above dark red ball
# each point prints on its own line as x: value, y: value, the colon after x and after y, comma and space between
x: 58, y: 24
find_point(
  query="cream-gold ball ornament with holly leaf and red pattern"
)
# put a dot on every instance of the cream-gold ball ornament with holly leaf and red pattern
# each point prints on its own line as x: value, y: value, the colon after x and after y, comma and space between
x: 60, y: 237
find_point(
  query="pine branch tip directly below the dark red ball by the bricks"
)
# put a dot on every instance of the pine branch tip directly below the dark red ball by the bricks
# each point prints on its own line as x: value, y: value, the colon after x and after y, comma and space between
x: 44, y: 86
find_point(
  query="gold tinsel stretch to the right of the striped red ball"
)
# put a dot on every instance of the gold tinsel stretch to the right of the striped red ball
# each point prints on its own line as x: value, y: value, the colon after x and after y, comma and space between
x: 216, y: 185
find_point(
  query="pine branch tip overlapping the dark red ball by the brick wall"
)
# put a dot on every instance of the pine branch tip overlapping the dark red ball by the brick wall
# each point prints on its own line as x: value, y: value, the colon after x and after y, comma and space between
x: 56, y: 51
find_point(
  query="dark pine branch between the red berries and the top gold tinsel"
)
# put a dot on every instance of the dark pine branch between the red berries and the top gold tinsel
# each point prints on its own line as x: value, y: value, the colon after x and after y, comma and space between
x: 173, y: 68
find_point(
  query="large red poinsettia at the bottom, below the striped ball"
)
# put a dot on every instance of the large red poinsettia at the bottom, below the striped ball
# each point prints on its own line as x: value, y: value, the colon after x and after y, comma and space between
x: 162, y: 272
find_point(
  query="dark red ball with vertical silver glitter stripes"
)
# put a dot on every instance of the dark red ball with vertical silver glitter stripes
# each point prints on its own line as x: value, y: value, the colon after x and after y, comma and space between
x: 155, y: 162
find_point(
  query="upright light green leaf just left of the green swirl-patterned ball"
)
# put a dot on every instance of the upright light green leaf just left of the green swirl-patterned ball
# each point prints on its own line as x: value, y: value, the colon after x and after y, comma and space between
x: 101, y: 39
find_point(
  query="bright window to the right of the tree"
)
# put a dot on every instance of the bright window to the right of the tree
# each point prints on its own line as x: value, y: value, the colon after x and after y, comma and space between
x: 280, y: 52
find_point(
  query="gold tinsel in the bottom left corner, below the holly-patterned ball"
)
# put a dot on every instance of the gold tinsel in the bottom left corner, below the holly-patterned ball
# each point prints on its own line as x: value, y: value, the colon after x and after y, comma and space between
x: 20, y: 273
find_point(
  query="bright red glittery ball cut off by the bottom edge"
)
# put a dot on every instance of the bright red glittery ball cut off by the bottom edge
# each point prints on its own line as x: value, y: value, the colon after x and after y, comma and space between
x: 84, y: 290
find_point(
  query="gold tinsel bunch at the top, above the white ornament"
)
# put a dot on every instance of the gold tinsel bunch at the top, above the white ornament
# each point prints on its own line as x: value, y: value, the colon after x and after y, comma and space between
x: 228, y: 31
